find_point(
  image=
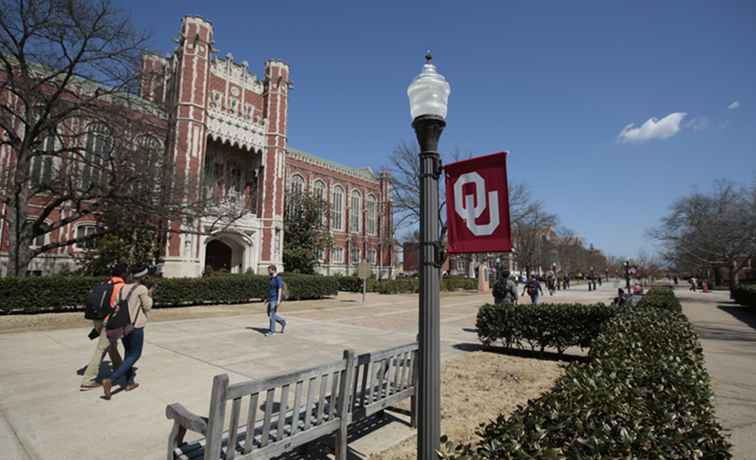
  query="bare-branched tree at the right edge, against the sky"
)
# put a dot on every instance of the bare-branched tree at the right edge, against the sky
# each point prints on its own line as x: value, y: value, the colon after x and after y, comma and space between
x: 715, y: 230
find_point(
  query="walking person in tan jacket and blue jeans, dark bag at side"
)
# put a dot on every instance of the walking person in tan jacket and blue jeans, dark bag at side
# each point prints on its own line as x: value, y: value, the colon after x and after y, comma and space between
x: 127, y: 324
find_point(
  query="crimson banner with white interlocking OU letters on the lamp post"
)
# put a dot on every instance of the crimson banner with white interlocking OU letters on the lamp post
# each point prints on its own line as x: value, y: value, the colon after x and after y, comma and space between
x: 477, y: 205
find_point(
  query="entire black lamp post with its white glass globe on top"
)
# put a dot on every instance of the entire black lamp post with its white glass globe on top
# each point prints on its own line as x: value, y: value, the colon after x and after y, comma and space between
x: 428, y: 94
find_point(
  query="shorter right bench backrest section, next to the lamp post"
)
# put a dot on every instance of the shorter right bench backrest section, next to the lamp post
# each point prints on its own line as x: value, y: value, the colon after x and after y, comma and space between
x: 383, y: 378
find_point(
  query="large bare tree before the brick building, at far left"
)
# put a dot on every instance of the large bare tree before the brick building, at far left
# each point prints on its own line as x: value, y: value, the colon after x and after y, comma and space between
x: 74, y: 140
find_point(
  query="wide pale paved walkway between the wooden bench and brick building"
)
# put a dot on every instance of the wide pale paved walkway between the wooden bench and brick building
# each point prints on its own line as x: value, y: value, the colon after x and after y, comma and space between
x: 44, y: 416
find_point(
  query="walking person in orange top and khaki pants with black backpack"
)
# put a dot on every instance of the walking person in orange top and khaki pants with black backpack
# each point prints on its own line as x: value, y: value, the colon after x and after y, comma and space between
x: 100, y: 303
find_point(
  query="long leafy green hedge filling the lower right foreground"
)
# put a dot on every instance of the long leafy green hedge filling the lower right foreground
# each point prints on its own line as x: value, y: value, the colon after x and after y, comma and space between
x: 644, y: 394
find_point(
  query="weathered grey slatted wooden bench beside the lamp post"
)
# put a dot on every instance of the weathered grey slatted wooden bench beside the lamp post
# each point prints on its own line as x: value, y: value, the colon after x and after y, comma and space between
x: 326, y: 399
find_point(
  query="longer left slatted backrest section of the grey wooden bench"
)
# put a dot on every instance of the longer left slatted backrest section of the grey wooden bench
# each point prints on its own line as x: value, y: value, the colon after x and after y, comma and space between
x: 294, y: 409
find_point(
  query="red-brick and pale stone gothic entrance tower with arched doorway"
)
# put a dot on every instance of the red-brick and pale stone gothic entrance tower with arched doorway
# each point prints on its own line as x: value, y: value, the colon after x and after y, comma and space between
x: 227, y: 137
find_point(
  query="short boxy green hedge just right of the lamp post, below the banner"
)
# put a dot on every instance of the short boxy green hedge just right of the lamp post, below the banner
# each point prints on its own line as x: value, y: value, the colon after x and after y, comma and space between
x: 556, y: 326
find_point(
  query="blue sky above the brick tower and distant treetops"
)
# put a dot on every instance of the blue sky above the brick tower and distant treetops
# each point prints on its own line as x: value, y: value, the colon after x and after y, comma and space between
x: 554, y: 83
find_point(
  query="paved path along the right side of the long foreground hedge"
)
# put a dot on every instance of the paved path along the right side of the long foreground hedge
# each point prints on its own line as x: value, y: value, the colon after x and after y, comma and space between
x: 728, y: 336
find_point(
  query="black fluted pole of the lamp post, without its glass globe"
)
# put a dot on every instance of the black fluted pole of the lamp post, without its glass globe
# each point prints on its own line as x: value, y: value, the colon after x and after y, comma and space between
x: 428, y: 130
